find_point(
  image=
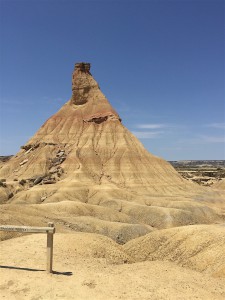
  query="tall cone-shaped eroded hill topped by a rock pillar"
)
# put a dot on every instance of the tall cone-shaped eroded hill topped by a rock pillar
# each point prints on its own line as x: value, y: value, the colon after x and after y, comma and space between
x: 84, y: 154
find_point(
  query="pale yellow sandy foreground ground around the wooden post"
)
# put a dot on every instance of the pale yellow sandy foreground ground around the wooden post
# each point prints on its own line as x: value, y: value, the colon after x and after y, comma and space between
x: 90, y: 266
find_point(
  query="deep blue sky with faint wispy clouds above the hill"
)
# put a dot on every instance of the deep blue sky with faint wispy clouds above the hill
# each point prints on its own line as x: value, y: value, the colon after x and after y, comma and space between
x: 161, y: 64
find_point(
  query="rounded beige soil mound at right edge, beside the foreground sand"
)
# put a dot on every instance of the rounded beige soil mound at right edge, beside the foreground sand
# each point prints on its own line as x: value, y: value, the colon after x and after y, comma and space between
x: 198, y: 247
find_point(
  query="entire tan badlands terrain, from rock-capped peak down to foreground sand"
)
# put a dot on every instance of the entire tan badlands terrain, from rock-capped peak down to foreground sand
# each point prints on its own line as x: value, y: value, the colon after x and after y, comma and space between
x: 128, y: 225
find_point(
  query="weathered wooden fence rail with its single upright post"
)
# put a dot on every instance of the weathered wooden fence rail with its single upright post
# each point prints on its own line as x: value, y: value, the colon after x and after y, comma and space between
x: 50, y: 230
